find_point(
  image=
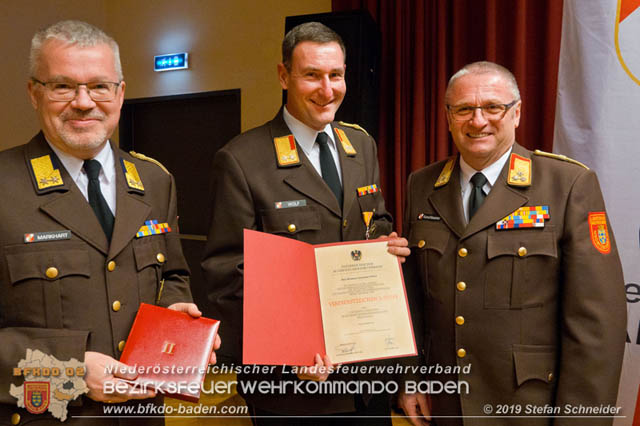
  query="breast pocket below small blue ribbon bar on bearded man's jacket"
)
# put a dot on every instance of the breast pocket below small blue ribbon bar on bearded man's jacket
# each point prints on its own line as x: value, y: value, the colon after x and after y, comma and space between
x: 150, y: 254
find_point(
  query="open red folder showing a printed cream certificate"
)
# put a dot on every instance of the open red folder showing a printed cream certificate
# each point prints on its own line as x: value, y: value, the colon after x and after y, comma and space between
x: 346, y: 300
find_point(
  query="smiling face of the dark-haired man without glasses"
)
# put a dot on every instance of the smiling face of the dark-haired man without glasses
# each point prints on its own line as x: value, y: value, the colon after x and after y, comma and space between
x: 315, y: 84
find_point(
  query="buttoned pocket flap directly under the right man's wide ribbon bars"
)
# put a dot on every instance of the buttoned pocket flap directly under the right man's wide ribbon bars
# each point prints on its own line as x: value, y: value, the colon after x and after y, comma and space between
x: 508, y: 243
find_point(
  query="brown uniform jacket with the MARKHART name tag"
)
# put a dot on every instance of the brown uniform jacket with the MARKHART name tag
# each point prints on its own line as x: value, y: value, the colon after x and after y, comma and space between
x: 74, y: 311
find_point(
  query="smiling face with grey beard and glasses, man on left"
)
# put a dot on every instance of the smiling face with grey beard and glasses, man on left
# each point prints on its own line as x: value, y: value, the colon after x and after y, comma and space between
x: 82, y: 126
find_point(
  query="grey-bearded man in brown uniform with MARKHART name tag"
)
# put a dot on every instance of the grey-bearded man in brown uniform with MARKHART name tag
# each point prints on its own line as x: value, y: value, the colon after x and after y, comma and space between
x: 72, y: 269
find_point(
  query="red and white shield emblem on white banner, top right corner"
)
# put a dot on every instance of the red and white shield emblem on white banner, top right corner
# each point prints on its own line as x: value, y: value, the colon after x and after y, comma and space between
x: 627, y: 34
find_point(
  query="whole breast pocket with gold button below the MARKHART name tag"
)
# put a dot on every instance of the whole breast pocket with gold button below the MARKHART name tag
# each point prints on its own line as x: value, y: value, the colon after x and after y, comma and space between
x: 41, y: 279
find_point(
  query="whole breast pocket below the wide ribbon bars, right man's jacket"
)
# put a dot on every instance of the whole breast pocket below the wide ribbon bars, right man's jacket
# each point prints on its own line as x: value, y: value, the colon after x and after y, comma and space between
x: 521, y: 264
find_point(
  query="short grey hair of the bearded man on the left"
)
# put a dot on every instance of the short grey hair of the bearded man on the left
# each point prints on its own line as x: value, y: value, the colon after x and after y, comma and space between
x: 72, y: 32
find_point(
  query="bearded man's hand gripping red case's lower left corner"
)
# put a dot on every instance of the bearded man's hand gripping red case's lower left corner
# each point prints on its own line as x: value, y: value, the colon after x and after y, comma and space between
x: 103, y: 369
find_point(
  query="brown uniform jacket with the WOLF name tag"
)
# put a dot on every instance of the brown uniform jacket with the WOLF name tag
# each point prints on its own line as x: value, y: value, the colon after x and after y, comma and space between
x: 247, y: 183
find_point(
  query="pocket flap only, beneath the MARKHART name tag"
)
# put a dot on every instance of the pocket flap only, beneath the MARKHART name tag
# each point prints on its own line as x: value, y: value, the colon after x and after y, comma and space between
x: 34, y: 264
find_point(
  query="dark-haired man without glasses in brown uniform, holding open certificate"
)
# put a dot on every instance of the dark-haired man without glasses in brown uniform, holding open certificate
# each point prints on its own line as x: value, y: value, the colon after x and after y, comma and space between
x: 297, y: 176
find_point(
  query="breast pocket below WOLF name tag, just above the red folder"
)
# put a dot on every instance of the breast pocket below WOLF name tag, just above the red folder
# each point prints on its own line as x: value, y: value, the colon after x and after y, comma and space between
x: 290, y: 221
